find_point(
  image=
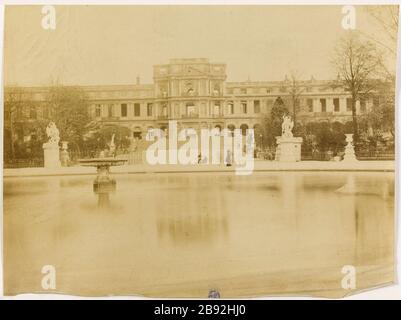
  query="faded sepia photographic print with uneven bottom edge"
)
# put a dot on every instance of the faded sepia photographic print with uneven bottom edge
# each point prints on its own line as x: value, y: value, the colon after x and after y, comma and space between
x: 199, y: 151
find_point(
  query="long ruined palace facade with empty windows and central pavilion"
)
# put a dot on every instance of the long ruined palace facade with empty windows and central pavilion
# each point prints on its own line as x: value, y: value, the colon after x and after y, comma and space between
x: 196, y: 94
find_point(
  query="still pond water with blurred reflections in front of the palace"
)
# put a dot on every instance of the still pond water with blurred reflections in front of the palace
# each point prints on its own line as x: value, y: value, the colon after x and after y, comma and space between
x: 182, y: 234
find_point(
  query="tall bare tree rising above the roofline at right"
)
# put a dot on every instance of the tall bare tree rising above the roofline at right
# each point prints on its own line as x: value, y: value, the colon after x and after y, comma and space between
x: 357, y: 63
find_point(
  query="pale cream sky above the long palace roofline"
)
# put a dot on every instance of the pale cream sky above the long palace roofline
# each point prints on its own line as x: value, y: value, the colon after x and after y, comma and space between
x: 114, y: 44
